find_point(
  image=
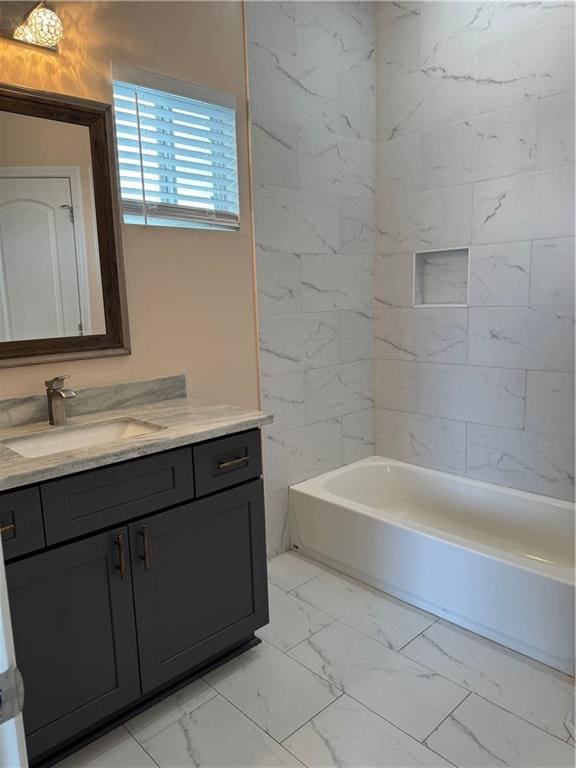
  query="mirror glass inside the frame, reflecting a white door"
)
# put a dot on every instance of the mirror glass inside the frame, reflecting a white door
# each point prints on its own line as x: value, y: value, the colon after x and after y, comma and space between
x: 50, y: 283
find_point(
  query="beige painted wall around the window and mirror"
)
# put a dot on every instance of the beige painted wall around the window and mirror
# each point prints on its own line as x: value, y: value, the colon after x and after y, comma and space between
x: 190, y: 293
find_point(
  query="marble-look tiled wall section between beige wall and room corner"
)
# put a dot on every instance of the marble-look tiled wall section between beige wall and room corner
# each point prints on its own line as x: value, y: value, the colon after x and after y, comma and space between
x: 312, y: 92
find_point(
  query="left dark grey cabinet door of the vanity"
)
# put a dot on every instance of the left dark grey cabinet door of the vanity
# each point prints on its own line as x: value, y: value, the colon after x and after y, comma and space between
x: 73, y: 618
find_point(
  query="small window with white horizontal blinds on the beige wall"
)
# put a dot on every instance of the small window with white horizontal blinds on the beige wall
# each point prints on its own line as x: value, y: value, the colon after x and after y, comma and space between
x: 176, y: 152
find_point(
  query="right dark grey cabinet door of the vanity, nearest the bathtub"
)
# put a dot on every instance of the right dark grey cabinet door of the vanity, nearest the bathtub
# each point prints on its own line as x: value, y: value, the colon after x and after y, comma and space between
x: 199, y: 575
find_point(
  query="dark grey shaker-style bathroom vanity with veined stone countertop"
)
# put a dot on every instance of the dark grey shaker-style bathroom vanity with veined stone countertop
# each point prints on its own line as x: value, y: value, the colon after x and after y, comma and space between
x: 133, y: 565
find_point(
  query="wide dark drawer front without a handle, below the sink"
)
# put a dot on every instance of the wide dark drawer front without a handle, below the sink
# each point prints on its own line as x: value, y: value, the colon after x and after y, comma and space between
x: 92, y: 500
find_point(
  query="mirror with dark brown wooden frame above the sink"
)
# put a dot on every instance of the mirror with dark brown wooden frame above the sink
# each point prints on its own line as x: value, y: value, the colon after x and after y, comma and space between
x: 62, y: 292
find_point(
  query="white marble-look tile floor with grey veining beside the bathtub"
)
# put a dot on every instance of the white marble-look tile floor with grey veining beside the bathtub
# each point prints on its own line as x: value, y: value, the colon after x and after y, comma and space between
x: 347, y: 676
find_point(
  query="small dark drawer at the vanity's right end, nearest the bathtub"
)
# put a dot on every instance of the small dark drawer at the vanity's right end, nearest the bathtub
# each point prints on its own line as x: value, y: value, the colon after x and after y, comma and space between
x: 227, y: 461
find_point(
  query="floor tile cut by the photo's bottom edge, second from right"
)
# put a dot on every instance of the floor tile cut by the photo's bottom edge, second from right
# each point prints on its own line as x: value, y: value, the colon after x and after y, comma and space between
x: 348, y: 735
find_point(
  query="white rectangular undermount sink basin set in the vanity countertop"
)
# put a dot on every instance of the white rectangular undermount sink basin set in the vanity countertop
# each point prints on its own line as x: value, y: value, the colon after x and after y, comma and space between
x: 71, y: 438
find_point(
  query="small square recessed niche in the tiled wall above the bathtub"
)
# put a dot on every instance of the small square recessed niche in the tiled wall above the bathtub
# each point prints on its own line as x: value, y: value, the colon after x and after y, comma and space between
x: 441, y: 277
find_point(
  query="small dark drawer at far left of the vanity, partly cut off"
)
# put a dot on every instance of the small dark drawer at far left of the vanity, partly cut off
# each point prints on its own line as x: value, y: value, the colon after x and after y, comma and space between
x: 21, y: 522
